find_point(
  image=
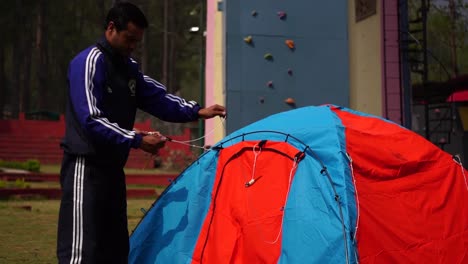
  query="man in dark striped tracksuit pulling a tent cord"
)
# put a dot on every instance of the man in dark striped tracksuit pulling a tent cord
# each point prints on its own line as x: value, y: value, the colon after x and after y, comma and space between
x: 105, y: 89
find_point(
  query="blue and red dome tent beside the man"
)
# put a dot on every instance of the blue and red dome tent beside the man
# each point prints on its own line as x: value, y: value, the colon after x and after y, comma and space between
x: 312, y: 185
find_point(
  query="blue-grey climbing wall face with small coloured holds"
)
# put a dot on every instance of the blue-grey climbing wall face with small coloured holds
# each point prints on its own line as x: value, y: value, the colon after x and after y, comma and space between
x: 284, y: 54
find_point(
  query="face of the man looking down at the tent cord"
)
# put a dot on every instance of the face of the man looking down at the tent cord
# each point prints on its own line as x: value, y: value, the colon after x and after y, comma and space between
x: 126, y: 40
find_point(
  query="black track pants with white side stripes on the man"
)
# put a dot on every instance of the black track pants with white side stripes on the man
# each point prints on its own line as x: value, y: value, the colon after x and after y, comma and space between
x: 92, y: 225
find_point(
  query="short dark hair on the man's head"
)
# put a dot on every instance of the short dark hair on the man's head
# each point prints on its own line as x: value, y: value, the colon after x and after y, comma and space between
x: 124, y: 12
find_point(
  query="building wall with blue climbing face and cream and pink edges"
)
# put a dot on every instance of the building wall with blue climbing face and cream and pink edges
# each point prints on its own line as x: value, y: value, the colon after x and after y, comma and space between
x: 337, y: 60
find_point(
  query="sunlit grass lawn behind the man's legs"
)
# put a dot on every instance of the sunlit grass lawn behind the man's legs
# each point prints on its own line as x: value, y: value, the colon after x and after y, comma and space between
x: 28, y: 229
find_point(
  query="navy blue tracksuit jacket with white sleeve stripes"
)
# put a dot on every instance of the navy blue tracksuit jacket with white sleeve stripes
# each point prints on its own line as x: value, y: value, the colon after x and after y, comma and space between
x: 105, y: 91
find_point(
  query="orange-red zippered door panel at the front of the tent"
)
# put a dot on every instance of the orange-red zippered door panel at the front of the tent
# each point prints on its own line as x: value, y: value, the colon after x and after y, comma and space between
x: 243, y: 224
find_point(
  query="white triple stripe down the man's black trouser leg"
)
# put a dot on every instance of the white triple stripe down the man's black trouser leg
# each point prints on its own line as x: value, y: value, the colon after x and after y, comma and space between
x: 77, y: 211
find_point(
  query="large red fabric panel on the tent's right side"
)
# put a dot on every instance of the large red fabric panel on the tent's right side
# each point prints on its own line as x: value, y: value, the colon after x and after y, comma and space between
x: 413, y: 201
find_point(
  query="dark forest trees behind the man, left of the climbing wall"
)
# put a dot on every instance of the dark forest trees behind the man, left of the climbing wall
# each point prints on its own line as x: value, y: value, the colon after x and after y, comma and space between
x: 40, y: 38
